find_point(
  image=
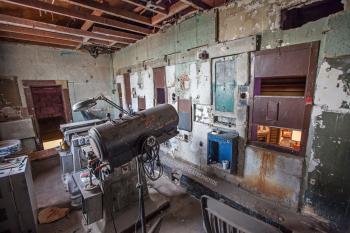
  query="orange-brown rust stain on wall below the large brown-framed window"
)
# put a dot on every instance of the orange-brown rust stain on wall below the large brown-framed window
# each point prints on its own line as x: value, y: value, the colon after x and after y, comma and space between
x: 261, y: 183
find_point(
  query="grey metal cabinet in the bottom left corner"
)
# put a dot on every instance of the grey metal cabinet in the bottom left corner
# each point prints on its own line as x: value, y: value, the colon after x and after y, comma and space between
x: 18, y: 209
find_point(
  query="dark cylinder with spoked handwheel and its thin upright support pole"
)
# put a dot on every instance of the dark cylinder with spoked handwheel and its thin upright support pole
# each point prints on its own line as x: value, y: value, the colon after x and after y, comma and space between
x: 138, y: 136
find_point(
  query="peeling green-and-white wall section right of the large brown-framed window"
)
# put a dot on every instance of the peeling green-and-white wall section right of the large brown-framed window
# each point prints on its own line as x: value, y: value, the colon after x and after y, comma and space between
x: 328, y: 180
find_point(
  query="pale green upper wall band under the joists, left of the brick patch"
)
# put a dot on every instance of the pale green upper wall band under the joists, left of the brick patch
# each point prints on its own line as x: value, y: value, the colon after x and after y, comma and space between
x: 199, y: 30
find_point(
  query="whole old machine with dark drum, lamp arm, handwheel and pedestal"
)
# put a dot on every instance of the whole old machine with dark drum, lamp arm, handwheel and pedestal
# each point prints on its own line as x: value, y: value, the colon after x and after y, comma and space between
x: 115, y: 144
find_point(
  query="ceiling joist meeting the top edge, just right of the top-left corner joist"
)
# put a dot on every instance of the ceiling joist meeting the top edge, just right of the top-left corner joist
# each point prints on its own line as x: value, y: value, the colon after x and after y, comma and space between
x: 107, y: 9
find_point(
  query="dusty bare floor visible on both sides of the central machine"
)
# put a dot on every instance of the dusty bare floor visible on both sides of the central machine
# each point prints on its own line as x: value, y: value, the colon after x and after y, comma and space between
x: 183, y: 215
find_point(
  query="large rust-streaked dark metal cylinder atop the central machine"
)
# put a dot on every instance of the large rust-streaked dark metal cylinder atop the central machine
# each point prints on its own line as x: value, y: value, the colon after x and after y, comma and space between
x: 119, y: 141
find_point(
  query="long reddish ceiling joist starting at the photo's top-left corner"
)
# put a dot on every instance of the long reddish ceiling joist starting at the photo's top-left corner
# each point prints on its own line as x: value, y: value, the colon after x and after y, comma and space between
x: 38, y: 5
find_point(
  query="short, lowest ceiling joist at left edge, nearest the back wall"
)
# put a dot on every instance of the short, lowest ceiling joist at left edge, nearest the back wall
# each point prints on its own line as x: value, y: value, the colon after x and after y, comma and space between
x: 34, y: 32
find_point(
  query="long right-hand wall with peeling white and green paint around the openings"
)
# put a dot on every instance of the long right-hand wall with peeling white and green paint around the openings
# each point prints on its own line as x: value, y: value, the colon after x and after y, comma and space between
x: 281, y: 177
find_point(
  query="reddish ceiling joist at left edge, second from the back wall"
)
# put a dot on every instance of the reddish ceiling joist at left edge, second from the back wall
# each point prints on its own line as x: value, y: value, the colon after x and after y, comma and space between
x: 27, y: 23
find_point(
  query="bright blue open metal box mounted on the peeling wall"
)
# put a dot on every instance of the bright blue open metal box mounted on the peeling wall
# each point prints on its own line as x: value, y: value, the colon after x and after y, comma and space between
x: 223, y: 146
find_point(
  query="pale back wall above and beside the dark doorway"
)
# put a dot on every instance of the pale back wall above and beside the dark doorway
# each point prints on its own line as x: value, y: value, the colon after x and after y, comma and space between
x: 87, y: 77
